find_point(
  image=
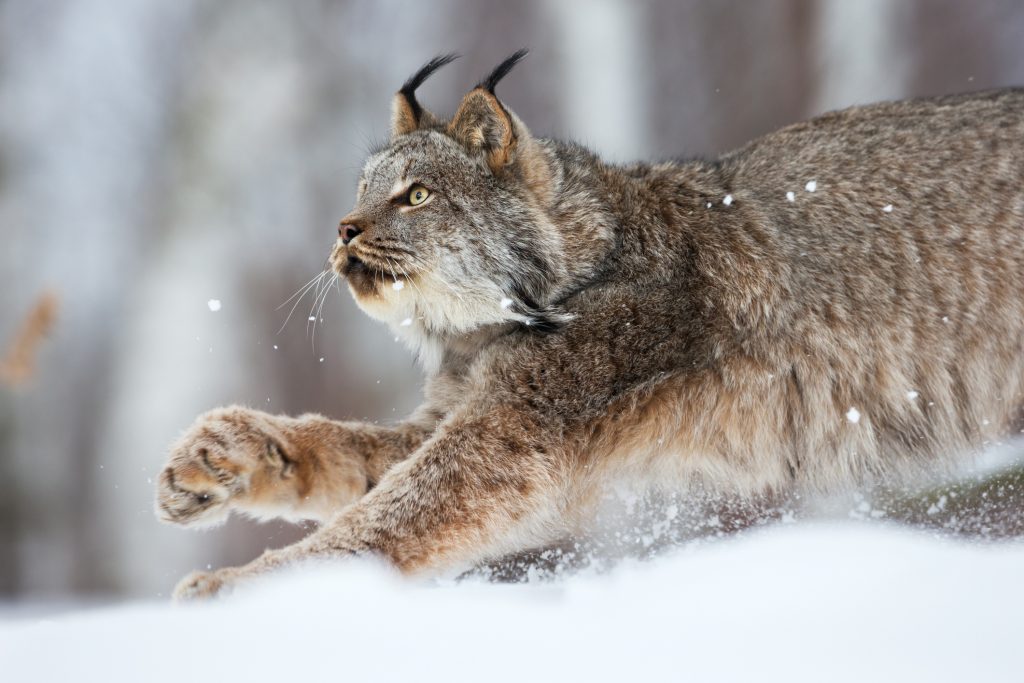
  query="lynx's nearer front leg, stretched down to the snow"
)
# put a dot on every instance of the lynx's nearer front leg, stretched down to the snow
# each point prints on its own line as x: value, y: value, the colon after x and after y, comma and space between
x: 477, y: 490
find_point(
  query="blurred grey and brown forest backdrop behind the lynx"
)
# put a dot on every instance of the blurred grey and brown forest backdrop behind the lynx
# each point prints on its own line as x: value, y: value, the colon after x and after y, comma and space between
x: 155, y: 156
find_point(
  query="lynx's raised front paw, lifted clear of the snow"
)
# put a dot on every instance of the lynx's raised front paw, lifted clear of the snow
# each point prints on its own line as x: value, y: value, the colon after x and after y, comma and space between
x: 232, y: 458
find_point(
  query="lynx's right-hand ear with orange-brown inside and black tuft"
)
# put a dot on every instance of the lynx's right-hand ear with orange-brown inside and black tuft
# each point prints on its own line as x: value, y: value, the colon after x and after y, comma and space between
x: 484, y: 126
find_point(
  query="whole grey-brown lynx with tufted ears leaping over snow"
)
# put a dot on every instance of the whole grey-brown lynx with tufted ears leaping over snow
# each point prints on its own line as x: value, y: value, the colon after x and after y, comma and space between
x: 836, y: 303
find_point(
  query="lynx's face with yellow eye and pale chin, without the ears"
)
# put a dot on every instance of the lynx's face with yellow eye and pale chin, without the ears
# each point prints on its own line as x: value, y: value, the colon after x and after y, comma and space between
x: 450, y: 262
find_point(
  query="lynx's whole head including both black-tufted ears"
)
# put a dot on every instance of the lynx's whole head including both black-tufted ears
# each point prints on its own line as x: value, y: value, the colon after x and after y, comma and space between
x: 451, y: 230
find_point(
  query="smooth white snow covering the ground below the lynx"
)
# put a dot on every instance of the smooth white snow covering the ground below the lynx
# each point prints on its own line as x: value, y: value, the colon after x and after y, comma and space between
x: 800, y: 603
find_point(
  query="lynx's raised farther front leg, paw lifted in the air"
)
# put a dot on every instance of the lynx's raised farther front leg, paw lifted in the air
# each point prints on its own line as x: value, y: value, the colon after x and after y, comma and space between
x: 268, y: 466
